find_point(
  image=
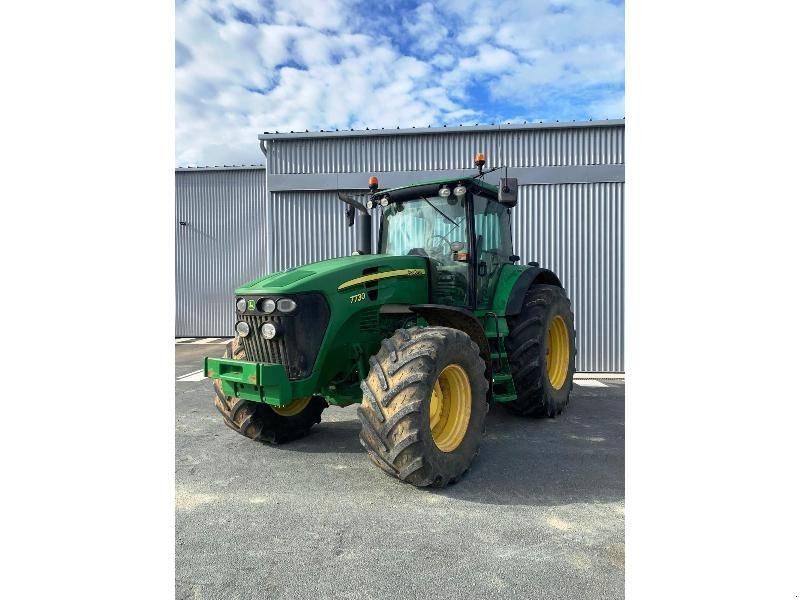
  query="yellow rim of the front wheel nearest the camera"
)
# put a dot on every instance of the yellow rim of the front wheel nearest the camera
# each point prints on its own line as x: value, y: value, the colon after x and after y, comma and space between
x: 451, y: 406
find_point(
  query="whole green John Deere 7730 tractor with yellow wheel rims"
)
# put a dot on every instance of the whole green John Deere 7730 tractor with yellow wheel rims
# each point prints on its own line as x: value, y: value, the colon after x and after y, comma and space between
x: 424, y: 333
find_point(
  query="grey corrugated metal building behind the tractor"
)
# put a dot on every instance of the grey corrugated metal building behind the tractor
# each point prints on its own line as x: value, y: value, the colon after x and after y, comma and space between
x: 237, y: 223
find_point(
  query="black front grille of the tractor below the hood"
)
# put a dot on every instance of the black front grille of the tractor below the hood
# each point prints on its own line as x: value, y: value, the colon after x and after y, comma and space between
x: 300, y: 334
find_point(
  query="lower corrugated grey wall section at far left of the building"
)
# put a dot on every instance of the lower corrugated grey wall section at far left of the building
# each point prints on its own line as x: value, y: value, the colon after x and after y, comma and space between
x: 222, y: 245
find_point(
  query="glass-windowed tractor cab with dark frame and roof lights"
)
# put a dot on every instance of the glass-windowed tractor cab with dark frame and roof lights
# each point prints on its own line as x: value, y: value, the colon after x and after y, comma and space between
x: 458, y: 226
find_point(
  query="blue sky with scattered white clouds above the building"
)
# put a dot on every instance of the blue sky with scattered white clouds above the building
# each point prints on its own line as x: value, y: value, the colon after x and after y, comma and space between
x: 248, y: 66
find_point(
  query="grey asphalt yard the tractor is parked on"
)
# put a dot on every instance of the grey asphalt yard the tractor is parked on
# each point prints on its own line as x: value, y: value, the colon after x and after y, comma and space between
x: 540, y: 514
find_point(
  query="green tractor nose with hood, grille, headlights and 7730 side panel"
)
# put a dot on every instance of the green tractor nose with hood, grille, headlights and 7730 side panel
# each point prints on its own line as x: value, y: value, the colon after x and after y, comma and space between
x: 336, y: 312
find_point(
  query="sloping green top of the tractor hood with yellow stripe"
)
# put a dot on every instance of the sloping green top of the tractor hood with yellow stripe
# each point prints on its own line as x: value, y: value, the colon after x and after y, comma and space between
x: 340, y: 275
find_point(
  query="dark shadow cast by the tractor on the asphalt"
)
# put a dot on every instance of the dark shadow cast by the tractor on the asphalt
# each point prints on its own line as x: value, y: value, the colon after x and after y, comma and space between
x: 577, y: 457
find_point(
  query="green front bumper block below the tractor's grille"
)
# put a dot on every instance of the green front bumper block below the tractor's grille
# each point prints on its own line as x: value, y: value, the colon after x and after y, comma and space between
x: 257, y: 382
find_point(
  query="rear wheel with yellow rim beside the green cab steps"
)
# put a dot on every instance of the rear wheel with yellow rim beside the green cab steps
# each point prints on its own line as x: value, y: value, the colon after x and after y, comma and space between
x: 541, y: 352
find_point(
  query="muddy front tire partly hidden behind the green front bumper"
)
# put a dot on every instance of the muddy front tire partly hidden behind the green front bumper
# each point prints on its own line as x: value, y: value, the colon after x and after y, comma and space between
x: 262, y: 422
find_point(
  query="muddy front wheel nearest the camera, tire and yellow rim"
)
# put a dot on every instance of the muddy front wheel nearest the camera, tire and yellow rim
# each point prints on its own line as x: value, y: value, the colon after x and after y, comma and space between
x: 424, y: 405
